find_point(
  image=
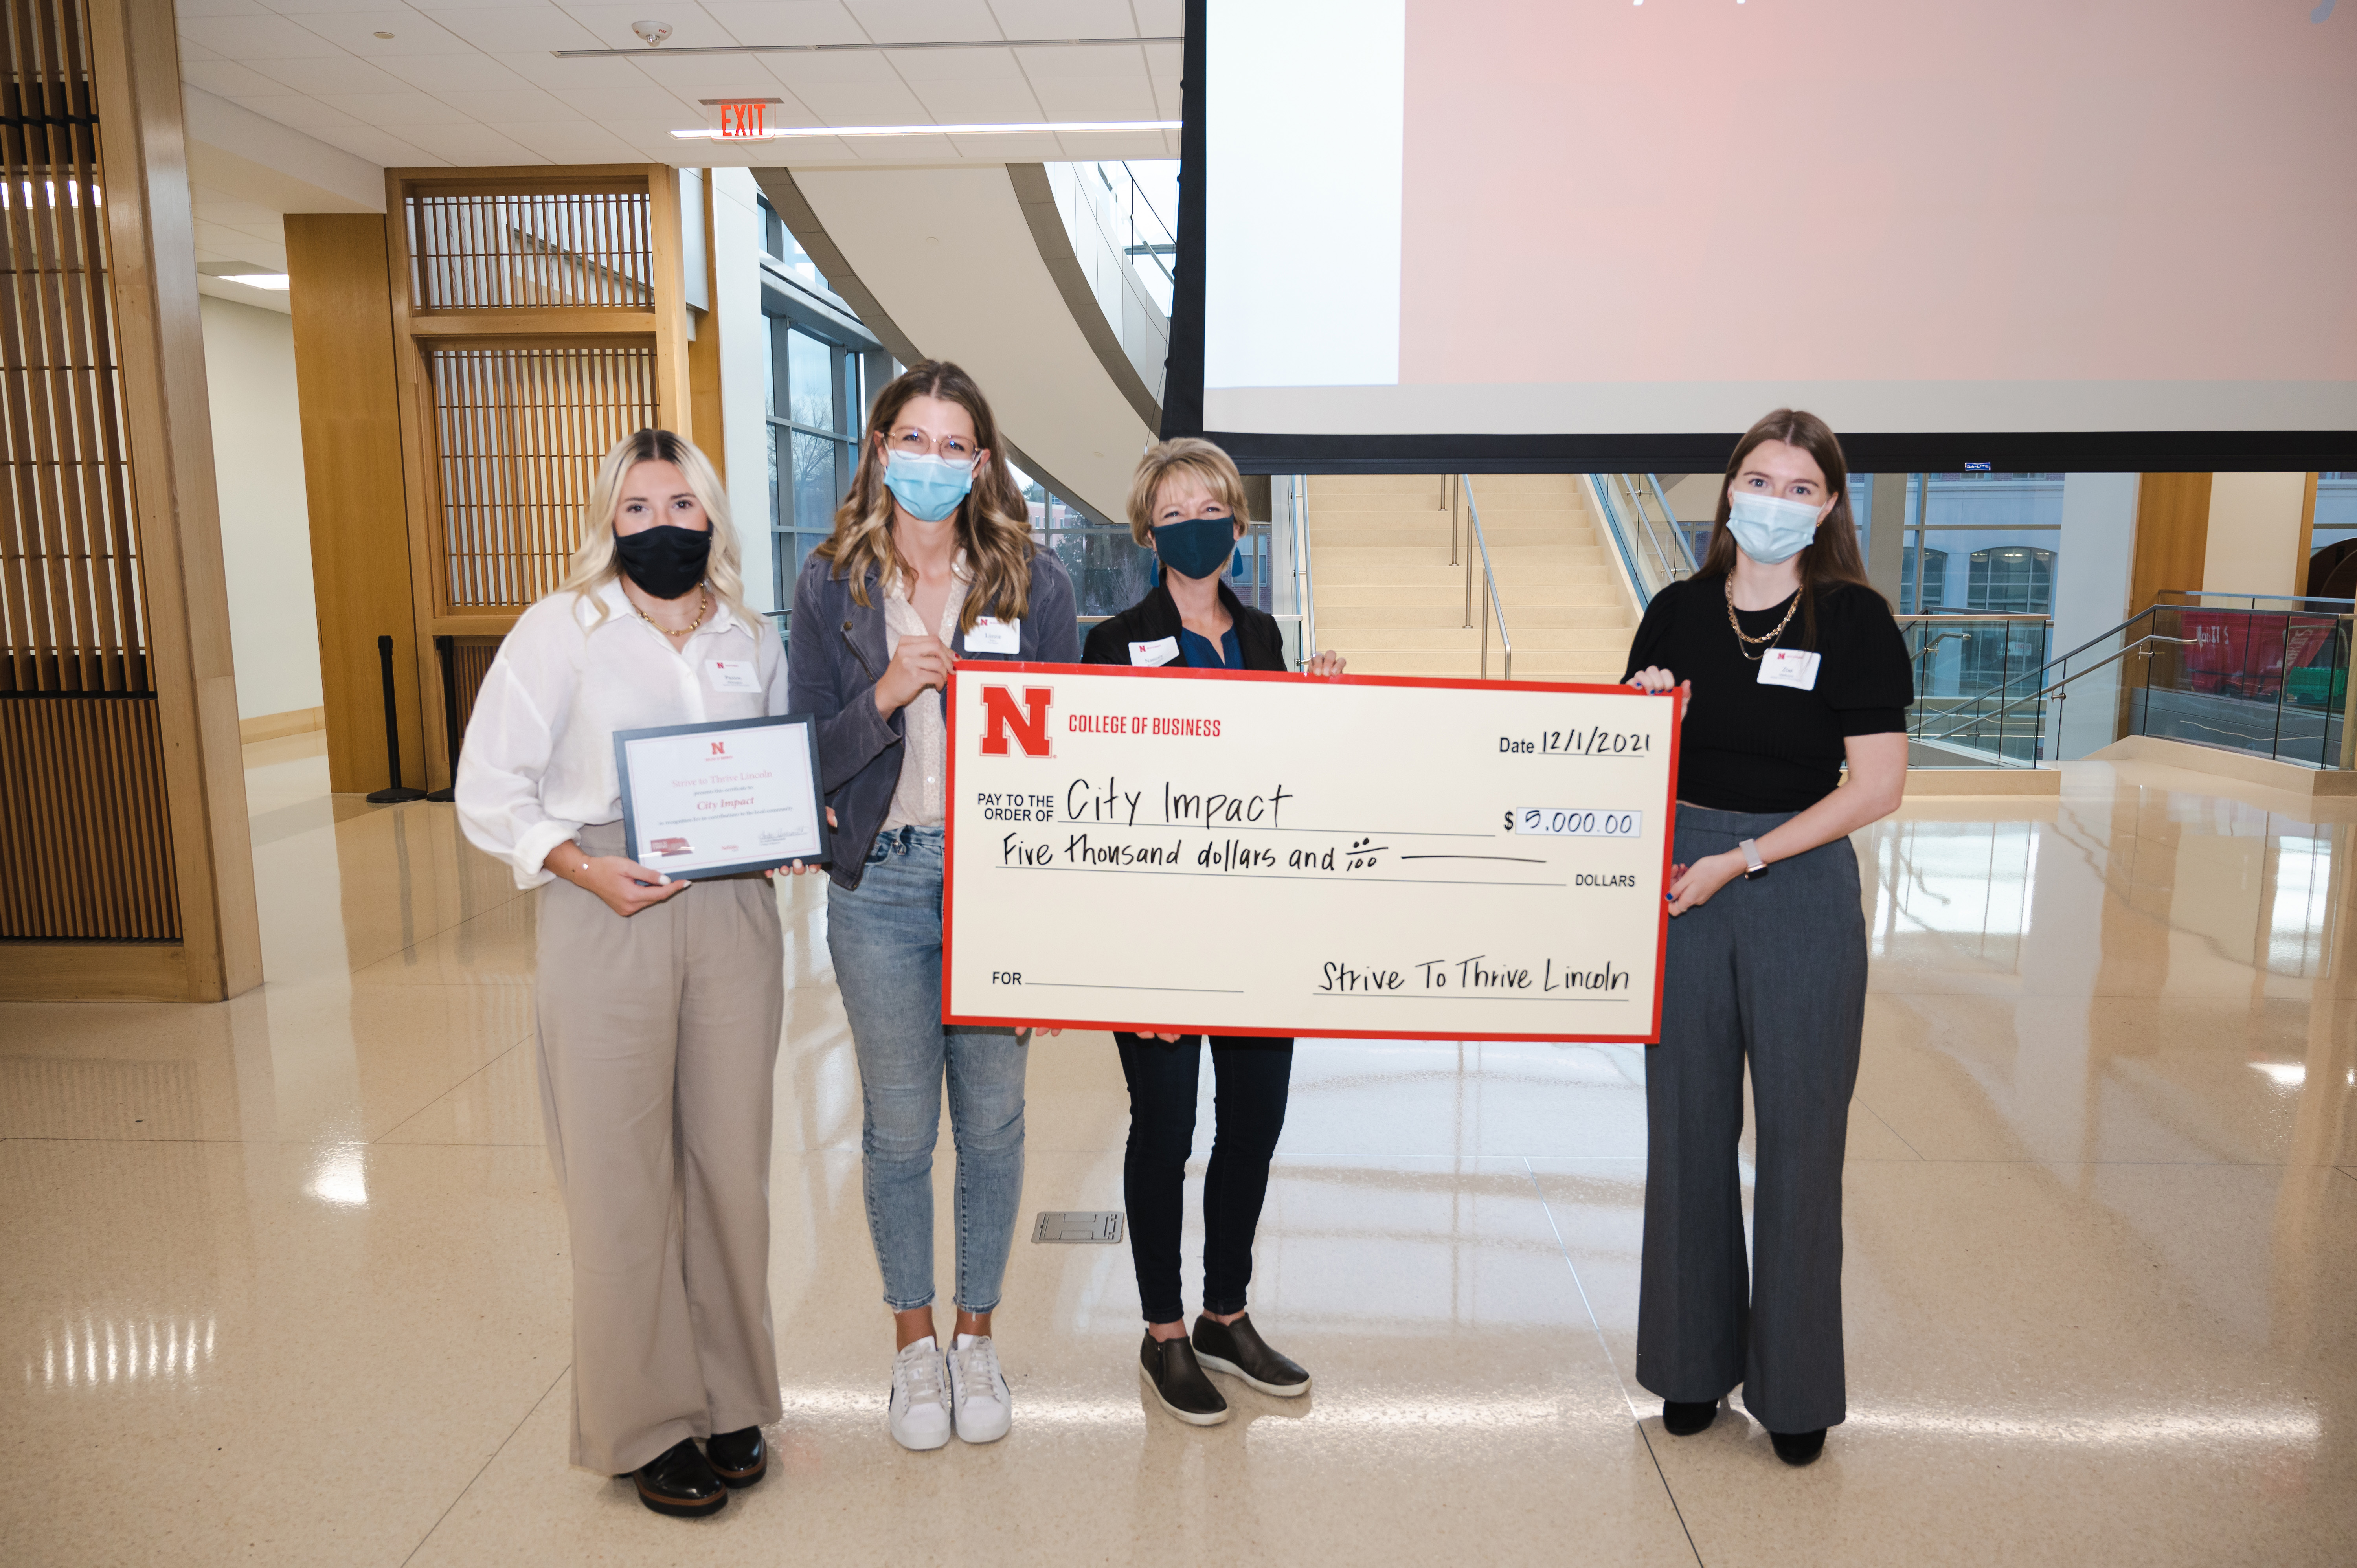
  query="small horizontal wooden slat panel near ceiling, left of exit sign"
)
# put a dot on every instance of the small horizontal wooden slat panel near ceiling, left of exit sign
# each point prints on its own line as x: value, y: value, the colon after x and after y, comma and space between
x: 520, y: 249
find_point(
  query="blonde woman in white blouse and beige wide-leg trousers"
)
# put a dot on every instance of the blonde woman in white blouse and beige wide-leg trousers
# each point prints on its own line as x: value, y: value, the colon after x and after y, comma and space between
x: 659, y: 1001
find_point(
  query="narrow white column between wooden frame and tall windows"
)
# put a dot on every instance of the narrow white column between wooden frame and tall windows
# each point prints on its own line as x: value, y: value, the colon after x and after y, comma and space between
x: 737, y: 317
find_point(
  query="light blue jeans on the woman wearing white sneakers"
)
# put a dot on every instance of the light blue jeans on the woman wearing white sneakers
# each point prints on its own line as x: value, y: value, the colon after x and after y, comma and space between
x: 887, y: 963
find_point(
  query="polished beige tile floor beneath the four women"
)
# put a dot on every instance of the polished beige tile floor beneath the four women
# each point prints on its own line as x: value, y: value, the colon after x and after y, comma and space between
x: 284, y: 1282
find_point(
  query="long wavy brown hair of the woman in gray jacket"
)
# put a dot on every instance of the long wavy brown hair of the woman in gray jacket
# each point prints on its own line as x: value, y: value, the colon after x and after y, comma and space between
x: 993, y: 520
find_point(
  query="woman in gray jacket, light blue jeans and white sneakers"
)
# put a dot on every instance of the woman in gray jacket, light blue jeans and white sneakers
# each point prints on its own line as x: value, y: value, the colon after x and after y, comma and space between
x: 932, y: 560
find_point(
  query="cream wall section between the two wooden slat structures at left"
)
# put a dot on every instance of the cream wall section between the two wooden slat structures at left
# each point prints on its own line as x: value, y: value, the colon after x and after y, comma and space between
x: 265, y: 522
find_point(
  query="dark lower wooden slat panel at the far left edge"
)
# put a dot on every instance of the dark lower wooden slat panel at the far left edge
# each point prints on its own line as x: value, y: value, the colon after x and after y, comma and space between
x: 84, y: 826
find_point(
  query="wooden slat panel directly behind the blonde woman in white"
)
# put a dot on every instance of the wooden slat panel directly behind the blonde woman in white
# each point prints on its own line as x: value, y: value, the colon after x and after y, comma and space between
x: 520, y: 435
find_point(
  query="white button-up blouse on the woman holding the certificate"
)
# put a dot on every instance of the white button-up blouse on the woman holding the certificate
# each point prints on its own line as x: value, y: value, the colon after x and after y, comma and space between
x: 539, y: 758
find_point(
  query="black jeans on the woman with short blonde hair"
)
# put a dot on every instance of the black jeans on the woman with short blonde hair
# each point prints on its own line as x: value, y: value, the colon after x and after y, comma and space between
x: 1250, y: 1076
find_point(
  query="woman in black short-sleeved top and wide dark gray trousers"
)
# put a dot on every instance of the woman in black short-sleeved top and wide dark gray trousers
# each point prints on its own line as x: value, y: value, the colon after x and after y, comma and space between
x: 1792, y: 668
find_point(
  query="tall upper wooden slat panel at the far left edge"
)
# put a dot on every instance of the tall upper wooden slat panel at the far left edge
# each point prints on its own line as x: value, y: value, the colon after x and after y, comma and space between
x: 72, y: 617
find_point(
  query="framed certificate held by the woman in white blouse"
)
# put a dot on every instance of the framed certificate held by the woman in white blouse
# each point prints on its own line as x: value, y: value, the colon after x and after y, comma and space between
x: 708, y: 801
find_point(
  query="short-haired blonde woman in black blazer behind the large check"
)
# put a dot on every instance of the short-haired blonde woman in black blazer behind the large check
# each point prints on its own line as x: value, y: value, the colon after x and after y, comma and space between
x: 1189, y: 506
